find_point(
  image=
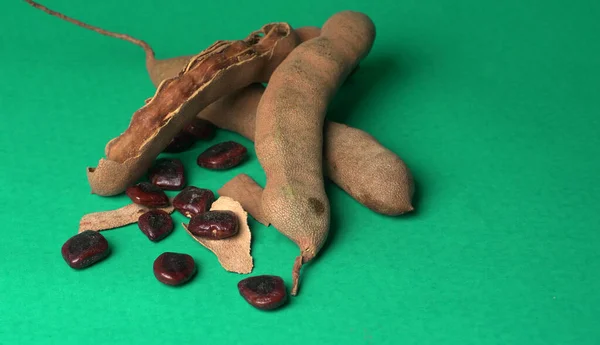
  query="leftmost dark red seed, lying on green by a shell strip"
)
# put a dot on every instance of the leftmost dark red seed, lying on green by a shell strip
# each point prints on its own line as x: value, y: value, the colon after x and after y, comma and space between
x: 85, y: 249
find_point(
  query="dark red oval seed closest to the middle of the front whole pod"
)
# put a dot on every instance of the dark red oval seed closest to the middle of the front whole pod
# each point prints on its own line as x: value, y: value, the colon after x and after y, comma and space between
x: 222, y: 156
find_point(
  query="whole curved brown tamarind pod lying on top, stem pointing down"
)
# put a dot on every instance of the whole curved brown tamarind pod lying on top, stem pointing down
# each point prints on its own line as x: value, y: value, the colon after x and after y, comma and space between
x: 289, y: 132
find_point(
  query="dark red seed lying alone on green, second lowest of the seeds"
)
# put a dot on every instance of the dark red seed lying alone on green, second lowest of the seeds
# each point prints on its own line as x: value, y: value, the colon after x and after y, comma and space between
x: 174, y: 268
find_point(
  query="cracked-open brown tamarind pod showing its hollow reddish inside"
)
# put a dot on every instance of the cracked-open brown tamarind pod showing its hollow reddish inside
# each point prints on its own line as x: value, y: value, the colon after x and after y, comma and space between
x: 224, y: 67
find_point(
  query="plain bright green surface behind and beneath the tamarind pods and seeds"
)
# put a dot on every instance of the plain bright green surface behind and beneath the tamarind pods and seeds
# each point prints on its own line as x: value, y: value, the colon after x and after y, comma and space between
x: 494, y: 106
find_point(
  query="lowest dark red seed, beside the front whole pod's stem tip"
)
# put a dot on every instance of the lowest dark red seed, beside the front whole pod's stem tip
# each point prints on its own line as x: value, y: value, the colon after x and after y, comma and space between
x: 264, y: 292
